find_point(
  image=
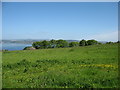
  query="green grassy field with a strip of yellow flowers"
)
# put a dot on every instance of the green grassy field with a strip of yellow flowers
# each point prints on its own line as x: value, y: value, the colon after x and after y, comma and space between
x: 79, y: 67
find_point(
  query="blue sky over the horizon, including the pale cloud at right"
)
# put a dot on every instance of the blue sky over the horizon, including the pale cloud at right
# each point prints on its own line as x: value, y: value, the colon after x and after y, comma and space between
x: 60, y: 20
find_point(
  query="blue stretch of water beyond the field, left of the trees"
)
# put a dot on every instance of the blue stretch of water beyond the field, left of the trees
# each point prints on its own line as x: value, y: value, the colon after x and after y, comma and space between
x: 13, y: 46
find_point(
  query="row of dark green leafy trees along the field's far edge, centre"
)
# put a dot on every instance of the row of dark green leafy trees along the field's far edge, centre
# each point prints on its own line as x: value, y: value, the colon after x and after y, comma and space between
x: 62, y: 43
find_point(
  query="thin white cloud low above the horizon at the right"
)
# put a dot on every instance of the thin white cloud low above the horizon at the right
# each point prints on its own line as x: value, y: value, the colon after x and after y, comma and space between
x: 109, y: 36
